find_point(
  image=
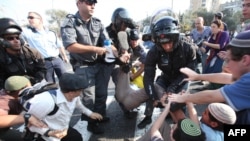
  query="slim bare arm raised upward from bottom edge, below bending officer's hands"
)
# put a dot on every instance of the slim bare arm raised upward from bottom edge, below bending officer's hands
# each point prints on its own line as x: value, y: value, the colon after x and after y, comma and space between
x: 158, y: 123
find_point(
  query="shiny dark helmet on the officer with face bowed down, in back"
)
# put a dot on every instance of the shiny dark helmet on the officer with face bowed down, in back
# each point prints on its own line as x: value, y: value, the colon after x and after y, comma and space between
x: 121, y: 15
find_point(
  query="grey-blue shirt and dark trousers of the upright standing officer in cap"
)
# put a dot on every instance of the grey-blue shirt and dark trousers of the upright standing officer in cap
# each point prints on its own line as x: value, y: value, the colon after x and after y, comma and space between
x: 89, y: 65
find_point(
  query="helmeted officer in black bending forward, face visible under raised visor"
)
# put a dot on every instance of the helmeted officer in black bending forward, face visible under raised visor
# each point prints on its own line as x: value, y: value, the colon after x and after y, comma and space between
x: 170, y: 53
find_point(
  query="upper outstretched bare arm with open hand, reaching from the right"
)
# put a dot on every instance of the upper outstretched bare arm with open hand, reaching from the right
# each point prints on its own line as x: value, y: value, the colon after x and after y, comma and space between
x: 221, y: 78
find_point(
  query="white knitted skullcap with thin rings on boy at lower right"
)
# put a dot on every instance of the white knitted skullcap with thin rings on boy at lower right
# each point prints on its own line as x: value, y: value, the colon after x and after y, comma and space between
x: 222, y: 113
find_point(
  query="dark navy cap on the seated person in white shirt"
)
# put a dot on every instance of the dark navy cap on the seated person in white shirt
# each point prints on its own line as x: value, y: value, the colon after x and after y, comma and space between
x: 72, y: 82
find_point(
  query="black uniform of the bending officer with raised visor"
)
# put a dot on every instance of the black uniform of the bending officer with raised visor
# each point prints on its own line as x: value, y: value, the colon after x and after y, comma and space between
x: 169, y: 63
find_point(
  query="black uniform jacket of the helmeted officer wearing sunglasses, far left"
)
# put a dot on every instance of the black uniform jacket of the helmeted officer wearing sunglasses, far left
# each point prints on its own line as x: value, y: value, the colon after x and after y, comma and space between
x: 29, y: 63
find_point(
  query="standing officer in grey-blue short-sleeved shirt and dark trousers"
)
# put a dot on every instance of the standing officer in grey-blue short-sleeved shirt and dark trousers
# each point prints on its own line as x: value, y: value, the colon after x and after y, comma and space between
x: 83, y: 36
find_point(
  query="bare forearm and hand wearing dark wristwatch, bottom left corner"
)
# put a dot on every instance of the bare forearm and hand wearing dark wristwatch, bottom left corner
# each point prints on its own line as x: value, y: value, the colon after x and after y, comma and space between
x: 11, y: 120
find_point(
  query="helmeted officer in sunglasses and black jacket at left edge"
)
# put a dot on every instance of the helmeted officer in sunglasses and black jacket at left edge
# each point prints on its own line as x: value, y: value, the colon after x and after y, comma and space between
x: 16, y: 58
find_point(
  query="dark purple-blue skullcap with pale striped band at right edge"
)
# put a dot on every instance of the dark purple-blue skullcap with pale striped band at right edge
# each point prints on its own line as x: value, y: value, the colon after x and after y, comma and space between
x: 242, y: 40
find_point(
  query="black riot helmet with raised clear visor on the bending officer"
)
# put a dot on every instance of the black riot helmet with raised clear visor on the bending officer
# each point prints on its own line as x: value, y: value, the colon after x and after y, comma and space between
x: 165, y: 30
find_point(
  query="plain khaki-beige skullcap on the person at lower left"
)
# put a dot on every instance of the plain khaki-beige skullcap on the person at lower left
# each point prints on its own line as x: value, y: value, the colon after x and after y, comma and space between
x: 14, y: 83
